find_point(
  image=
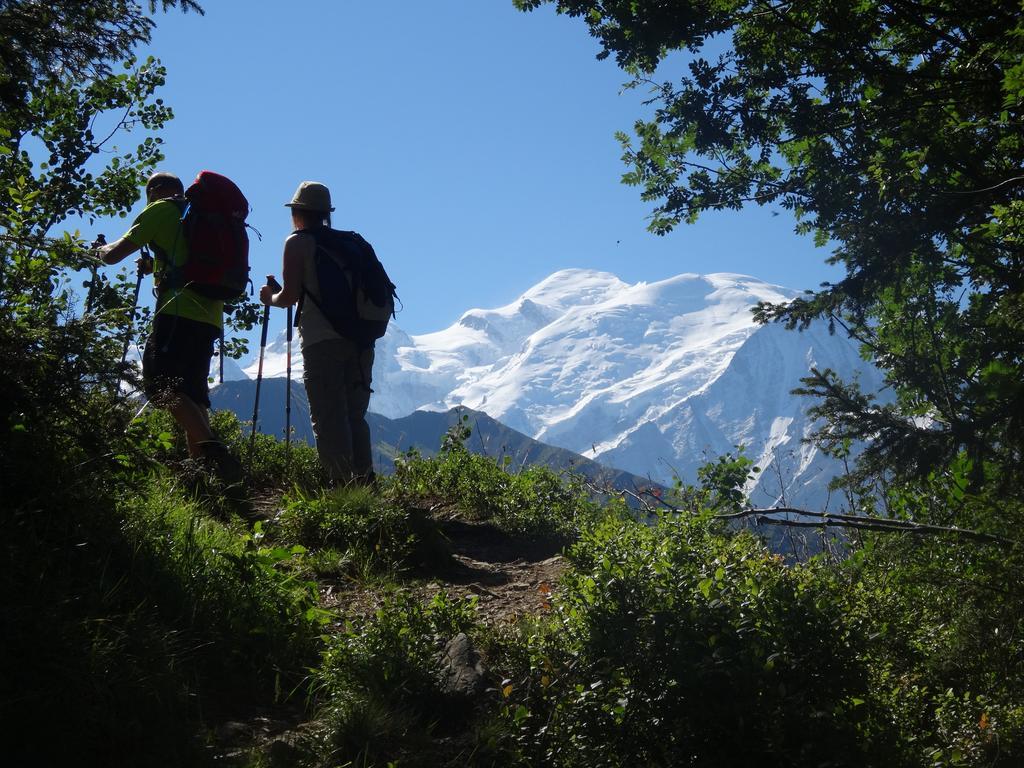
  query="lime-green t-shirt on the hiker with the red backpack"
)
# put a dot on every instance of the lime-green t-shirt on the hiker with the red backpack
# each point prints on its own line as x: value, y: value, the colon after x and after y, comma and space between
x: 160, y: 228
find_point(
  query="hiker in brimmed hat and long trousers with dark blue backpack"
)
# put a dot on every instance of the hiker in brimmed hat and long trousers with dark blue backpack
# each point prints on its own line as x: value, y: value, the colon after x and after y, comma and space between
x: 345, y: 303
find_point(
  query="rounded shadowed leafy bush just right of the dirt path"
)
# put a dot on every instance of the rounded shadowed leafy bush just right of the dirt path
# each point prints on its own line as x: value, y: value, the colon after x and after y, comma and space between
x: 675, y: 646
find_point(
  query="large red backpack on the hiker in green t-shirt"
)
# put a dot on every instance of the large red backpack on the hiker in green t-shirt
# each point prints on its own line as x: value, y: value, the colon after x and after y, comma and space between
x: 214, y: 223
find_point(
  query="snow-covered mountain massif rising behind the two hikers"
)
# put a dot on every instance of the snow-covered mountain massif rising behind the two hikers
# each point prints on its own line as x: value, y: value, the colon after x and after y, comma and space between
x: 656, y: 378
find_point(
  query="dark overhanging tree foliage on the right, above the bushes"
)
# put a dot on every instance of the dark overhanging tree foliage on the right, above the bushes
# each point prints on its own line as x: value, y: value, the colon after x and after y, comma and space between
x: 893, y: 133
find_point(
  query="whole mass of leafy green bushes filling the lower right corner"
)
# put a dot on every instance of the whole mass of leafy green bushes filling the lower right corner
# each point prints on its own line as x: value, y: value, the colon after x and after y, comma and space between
x: 679, y: 644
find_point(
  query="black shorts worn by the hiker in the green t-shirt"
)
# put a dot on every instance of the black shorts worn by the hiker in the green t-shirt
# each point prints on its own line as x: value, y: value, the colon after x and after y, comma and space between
x: 177, y: 360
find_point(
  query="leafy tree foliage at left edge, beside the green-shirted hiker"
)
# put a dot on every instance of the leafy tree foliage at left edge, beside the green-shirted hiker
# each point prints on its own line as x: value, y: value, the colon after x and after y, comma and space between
x: 68, y: 97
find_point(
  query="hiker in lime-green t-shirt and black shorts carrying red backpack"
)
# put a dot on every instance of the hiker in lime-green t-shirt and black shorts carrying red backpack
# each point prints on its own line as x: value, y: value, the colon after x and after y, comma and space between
x: 201, y: 260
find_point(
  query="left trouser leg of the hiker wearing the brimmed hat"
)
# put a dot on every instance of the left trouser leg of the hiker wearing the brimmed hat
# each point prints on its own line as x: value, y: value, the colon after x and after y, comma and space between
x: 324, y: 377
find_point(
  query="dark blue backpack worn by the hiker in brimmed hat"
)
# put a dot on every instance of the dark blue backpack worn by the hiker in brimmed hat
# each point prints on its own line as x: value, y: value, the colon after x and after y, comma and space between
x: 357, y: 296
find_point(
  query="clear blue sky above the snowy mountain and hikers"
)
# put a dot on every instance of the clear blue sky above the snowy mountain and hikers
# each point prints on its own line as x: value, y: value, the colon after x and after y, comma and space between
x: 472, y: 144
